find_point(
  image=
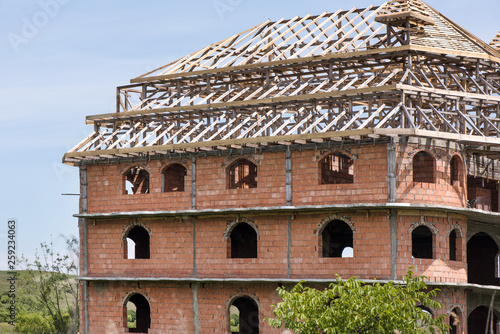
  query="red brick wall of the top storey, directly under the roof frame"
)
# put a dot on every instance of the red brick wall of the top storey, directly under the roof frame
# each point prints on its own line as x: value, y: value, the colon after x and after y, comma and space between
x: 106, y: 183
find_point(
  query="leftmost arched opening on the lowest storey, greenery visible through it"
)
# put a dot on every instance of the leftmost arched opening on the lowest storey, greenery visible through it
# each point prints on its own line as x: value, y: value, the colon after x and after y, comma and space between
x: 137, y: 314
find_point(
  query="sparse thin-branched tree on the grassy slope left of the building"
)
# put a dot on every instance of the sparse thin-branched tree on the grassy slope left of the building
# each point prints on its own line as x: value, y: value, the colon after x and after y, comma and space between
x: 48, y: 296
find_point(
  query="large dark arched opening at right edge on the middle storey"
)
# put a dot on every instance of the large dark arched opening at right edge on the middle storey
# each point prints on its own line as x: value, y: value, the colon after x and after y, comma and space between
x: 482, y: 253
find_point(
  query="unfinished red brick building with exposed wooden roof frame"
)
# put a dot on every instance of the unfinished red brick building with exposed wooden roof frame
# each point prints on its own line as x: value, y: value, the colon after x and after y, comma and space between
x: 357, y: 142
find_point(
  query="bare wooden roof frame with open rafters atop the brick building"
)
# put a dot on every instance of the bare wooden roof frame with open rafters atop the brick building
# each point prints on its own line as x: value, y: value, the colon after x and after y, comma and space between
x: 398, y: 69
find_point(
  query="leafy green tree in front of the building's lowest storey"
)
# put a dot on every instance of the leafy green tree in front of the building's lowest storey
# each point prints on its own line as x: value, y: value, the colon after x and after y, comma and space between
x: 353, y: 307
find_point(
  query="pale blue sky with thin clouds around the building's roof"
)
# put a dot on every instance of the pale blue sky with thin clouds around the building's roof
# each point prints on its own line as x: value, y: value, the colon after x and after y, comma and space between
x: 61, y: 60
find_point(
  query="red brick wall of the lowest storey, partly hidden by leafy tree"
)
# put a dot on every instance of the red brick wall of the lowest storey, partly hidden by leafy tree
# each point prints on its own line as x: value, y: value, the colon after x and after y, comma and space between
x: 172, y: 305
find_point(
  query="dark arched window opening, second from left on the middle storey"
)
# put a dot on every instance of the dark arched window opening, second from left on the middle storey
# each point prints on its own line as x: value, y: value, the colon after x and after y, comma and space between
x: 243, y: 242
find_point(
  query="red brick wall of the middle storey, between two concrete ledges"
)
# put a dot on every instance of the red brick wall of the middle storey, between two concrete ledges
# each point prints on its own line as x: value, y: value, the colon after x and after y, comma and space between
x: 172, y: 248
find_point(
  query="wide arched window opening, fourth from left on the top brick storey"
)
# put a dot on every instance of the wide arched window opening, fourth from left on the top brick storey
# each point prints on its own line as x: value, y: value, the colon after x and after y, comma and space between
x: 337, y: 168
